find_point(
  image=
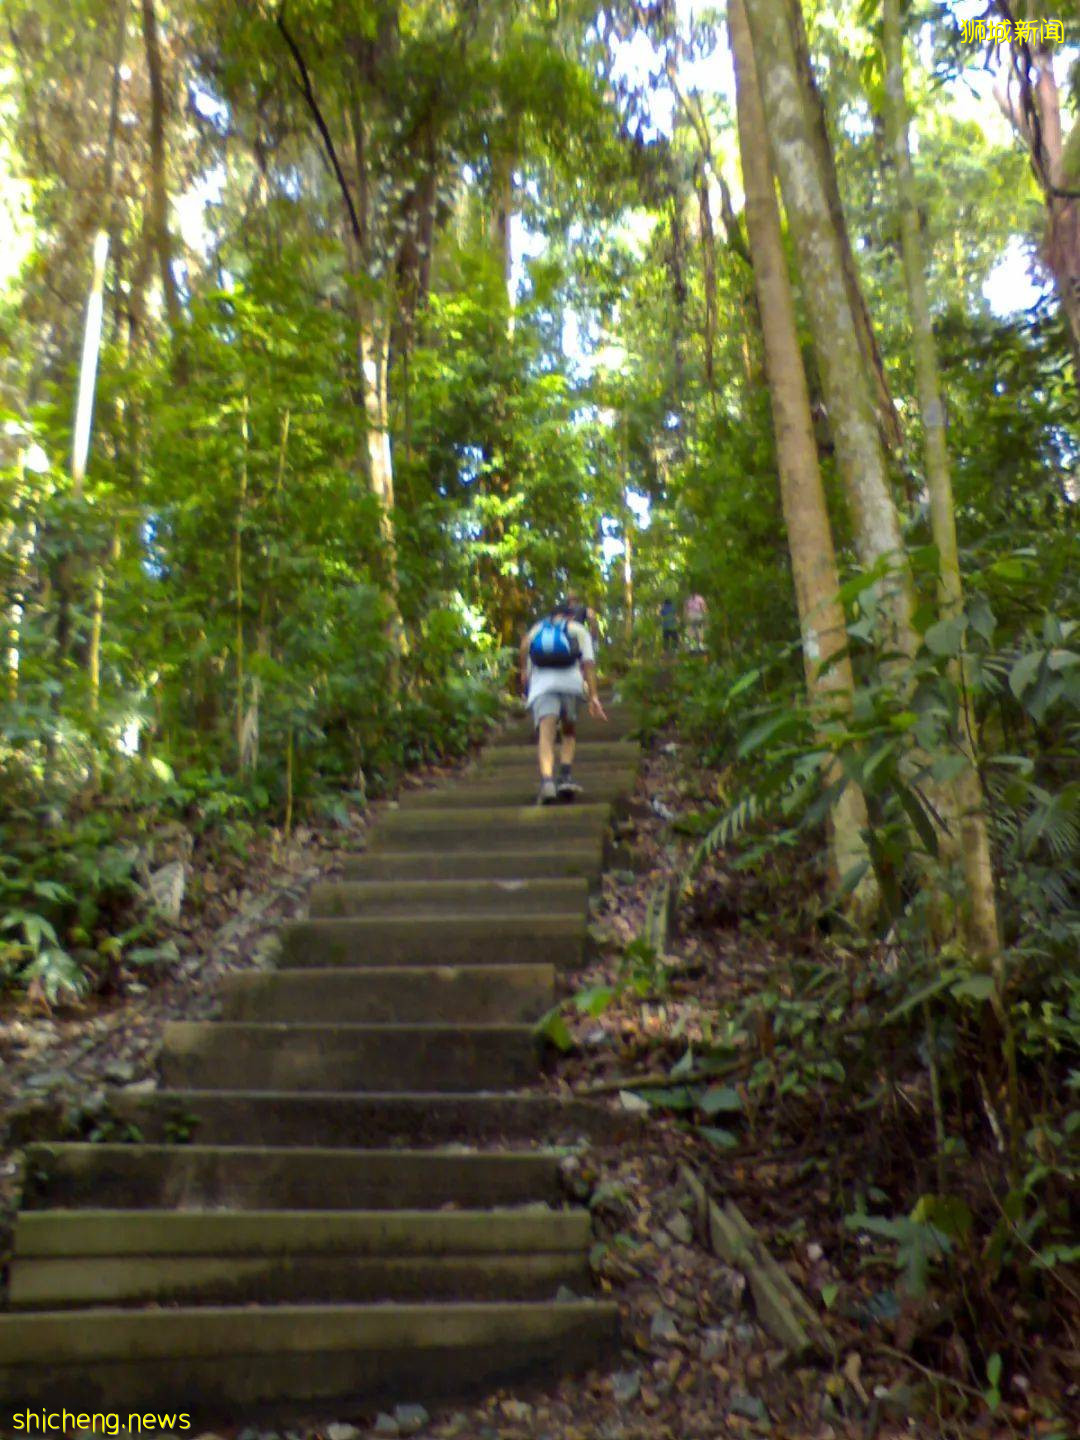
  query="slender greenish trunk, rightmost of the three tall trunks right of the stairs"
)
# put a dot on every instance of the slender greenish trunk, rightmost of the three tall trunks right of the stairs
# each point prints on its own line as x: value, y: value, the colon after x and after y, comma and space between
x: 981, y: 925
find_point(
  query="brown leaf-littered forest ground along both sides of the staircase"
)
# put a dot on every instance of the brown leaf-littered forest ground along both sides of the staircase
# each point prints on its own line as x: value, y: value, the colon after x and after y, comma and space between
x: 695, y: 1362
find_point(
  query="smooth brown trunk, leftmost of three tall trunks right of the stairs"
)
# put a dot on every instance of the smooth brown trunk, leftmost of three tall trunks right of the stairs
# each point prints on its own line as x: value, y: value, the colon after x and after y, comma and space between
x: 830, y: 683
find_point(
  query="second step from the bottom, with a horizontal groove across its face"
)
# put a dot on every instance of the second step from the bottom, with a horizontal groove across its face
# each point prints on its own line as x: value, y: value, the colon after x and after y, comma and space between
x: 123, y: 1258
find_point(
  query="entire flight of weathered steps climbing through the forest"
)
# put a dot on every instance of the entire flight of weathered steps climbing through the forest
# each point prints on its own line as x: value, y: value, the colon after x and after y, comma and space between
x: 343, y: 1192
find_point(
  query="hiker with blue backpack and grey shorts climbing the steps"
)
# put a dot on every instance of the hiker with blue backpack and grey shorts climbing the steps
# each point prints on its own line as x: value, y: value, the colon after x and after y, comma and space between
x: 559, y: 670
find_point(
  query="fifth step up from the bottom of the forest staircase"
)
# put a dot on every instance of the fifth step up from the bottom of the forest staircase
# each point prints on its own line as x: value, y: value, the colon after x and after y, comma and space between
x: 224, y: 1056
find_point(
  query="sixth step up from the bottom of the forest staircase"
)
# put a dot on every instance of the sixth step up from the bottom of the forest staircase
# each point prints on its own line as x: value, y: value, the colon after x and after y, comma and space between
x: 470, y: 994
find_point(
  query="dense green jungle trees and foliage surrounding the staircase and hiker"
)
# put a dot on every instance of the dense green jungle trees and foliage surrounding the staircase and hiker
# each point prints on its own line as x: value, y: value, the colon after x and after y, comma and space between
x: 339, y: 339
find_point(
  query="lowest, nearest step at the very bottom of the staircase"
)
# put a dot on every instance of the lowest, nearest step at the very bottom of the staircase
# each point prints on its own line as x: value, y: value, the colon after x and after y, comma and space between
x: 210, y: 1360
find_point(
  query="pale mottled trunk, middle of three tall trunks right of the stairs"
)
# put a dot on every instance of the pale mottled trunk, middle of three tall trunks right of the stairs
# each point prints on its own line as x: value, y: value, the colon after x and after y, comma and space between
x: 846, y: 381
